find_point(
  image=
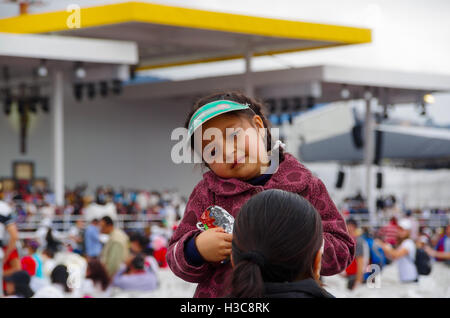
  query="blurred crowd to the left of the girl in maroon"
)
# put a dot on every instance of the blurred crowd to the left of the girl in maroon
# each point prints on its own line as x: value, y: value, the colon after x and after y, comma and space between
x: 96, y: 255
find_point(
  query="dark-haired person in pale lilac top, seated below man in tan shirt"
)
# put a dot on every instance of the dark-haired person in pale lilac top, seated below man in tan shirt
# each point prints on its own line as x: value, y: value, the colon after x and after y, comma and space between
x: 136, y: 277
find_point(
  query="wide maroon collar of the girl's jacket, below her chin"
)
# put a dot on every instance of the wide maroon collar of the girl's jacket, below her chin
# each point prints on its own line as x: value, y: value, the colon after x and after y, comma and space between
x: 291, y: 176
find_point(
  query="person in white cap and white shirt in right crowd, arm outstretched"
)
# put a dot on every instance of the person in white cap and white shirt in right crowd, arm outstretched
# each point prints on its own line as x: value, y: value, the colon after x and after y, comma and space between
x: 404, y: 254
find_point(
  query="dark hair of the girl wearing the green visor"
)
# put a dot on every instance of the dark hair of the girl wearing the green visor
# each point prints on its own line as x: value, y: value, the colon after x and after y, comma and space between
x: 257, y: 108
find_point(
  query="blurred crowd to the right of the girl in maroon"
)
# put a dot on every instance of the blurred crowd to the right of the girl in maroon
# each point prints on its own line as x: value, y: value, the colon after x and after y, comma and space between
x: 414, y: 249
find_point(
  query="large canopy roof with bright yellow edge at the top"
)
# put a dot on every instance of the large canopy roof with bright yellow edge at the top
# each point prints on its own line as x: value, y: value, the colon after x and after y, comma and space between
x: 169, y: 36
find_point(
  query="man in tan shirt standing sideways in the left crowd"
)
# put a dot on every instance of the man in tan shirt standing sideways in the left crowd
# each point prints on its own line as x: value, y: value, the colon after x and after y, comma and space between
x: 115, y: 251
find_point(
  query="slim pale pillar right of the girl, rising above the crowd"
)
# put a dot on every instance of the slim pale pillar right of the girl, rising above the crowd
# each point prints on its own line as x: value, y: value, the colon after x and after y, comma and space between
x: 369, y: 144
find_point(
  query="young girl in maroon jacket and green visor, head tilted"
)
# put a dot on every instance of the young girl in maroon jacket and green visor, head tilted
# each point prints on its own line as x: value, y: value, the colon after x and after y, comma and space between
x: 201, y: 256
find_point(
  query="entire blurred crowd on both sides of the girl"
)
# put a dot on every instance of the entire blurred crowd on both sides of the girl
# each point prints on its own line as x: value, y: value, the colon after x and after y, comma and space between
x: 97, y: 256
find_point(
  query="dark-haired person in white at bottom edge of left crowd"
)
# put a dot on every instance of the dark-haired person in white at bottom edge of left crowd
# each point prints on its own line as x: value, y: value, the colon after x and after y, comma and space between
x: 59, y: 287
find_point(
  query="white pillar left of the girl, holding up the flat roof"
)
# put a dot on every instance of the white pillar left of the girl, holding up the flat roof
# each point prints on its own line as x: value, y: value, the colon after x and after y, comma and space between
x: 58, y: 136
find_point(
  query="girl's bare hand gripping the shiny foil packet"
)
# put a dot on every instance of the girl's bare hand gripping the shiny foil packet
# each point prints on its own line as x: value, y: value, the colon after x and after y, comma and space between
x: 214, y: 245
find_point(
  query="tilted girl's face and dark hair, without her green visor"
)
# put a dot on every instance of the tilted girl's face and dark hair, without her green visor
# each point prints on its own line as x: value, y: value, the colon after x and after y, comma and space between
x: 242, y: 151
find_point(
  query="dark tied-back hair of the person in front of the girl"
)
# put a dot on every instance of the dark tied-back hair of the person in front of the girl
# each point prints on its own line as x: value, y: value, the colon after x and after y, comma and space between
x: 276, y: 237
